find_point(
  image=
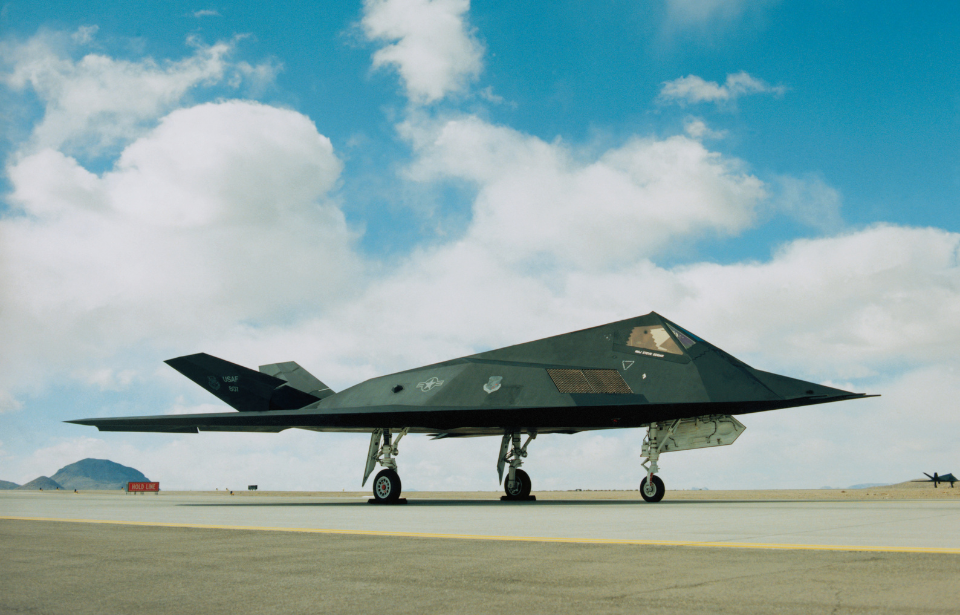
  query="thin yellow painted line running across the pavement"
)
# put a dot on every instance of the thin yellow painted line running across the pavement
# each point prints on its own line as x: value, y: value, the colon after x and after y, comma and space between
x: 589, y: 541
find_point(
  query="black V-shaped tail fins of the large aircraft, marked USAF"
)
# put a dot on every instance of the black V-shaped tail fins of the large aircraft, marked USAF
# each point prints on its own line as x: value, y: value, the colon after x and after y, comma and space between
x: 279, y: 386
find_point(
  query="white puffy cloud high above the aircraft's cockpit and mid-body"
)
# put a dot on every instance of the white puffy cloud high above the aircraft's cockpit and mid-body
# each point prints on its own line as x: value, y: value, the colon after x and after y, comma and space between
x: 540, y: 202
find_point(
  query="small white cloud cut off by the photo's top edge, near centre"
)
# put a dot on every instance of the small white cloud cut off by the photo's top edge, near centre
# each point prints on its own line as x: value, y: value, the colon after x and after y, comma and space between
x: 429, y: 43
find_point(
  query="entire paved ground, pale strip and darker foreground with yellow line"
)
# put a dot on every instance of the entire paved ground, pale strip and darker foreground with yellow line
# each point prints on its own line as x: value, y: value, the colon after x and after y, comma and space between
x: 468, y: 556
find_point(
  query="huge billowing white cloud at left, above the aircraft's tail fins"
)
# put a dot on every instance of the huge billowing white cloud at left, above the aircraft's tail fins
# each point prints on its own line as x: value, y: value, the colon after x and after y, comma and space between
x: 218, y: 216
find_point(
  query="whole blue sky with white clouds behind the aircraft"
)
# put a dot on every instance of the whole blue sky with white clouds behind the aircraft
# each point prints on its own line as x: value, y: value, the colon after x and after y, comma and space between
x: 368, y: 187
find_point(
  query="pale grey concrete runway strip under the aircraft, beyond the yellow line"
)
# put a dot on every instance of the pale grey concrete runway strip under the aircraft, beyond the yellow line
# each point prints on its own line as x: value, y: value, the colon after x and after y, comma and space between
x: 852, y: 525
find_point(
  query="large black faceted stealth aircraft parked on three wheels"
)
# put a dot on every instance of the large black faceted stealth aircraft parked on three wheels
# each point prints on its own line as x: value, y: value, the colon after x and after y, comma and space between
x: 644, y: 372
